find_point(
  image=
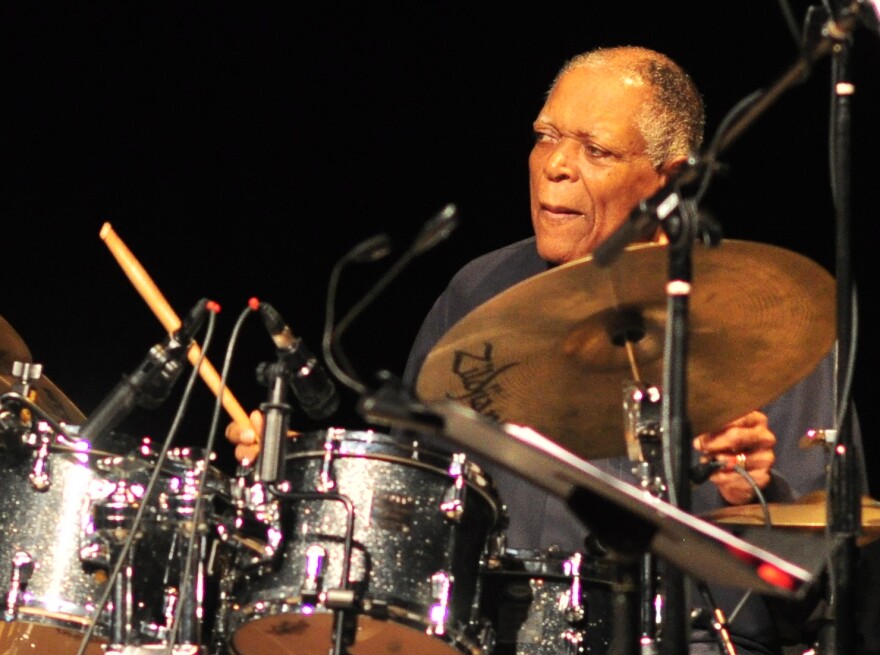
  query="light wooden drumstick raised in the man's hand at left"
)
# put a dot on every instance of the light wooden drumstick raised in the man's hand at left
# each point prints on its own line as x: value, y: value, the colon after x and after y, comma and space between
x: 170, y: 321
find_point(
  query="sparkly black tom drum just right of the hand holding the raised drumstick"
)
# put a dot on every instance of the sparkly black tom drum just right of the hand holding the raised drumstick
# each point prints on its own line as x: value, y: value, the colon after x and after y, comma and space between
x: 421, y: 523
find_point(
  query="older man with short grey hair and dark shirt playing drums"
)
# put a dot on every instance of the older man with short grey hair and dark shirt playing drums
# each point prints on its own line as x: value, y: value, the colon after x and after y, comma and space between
x: 617, y: 124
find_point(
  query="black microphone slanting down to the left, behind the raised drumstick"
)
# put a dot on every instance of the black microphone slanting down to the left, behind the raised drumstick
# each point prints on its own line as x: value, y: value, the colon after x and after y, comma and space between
x: 152, y: 380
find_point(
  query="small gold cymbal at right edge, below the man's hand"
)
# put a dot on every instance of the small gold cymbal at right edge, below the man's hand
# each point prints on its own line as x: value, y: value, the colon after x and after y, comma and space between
x: 807, y: 513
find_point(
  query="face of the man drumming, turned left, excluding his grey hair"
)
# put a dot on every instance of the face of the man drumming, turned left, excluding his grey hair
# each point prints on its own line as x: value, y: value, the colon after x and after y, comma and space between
x: 588, y: 167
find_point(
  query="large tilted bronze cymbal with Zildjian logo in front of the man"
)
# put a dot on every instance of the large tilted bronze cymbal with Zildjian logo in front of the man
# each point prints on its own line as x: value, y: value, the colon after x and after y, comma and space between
x: 547, y: 353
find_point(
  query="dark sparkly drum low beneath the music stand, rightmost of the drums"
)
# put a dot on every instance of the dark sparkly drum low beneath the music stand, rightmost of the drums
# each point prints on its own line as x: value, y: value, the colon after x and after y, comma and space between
x: 551, y: 603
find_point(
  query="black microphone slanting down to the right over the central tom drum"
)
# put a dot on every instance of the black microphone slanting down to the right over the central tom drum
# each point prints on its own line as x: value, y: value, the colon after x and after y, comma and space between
x: 313, y: 388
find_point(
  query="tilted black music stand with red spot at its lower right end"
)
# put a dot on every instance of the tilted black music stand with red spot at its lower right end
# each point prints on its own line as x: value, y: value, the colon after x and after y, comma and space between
x: 781, y: 564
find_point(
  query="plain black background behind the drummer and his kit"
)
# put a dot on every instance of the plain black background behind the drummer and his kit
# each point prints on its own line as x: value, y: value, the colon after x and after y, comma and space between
x: 240, y: 150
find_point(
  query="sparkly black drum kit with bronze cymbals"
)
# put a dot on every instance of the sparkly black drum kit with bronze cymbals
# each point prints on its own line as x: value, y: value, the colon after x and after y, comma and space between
x: 371, y: 542
